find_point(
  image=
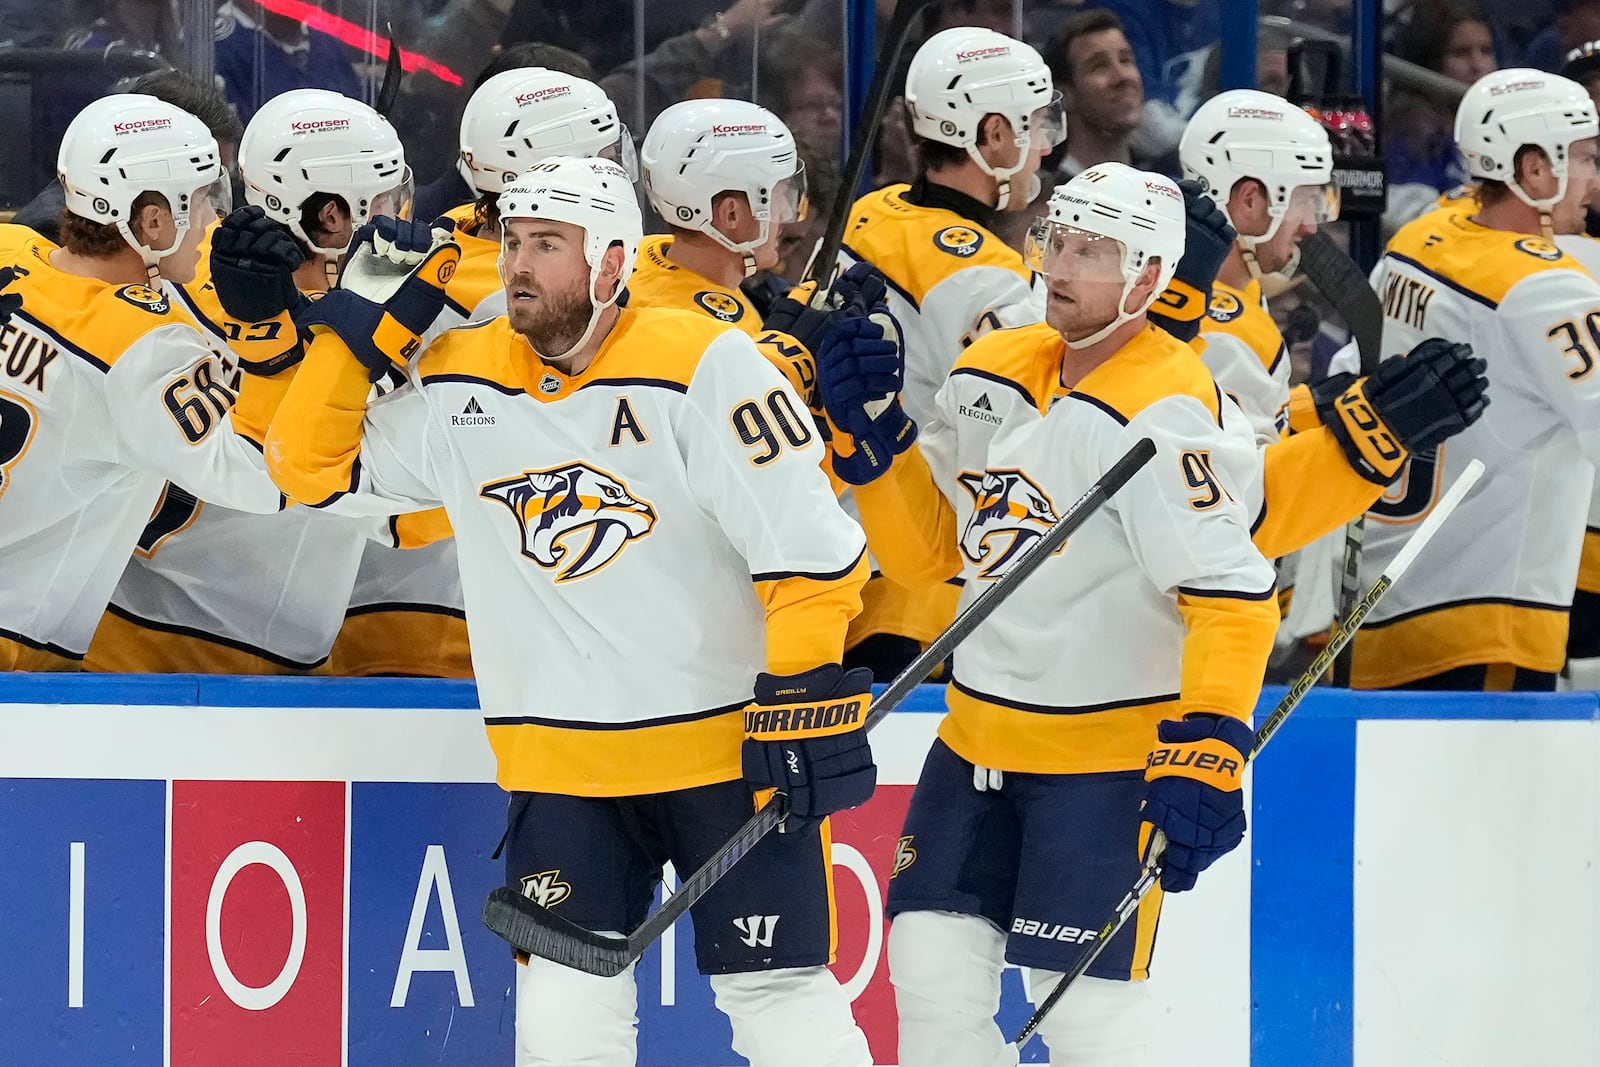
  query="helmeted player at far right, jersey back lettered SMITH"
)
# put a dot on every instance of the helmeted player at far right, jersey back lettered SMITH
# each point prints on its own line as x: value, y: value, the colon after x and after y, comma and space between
x: 1495, y: 613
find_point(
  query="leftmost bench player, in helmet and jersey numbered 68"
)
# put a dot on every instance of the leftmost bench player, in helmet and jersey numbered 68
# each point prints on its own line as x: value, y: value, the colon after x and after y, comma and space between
x: 110, y: 388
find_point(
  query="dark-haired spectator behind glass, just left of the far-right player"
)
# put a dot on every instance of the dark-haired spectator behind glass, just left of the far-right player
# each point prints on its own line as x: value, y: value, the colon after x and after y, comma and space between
x: 1450, y: 38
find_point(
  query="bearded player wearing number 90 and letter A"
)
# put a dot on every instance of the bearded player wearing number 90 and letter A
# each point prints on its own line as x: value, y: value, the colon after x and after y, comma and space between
x: 646, y: 538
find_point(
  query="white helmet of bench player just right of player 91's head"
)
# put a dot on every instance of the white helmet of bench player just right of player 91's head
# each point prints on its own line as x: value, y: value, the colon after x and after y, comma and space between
x: 1247, y: 134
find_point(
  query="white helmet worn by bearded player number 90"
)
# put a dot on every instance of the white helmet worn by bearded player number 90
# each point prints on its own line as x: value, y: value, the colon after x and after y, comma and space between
x: 588, y: 193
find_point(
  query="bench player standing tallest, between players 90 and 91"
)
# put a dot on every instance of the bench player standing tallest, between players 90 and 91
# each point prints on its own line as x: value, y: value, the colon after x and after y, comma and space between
x: 985, y: 114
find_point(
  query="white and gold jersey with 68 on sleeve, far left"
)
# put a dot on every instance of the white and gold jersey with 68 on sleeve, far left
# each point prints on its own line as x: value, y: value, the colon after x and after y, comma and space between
x: 108, y: 391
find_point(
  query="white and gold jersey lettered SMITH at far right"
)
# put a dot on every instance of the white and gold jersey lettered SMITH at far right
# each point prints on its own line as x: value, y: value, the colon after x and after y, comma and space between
x: 1497, y: 585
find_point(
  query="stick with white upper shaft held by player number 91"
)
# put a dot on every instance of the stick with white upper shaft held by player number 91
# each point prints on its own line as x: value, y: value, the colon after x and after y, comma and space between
x: 1342, y: 636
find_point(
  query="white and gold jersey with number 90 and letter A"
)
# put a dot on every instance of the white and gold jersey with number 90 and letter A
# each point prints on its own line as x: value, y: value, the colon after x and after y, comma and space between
x: 638, y: 541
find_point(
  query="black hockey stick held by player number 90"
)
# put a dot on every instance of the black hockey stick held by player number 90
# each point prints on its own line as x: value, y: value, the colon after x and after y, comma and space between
x: 542, y: 933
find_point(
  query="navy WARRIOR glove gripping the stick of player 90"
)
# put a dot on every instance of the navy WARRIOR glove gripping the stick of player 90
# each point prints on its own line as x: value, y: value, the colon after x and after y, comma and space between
x: 804, y: 737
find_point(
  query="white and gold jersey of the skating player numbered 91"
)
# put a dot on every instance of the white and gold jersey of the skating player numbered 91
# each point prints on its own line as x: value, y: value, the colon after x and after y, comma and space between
x: 1159, y: 607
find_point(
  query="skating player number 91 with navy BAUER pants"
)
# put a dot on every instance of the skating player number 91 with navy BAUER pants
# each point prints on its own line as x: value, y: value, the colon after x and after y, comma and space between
x: 1111, y: 692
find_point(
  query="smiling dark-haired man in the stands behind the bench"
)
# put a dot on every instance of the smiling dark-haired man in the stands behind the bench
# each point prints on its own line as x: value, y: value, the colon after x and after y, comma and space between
x: 1098, y: 76
